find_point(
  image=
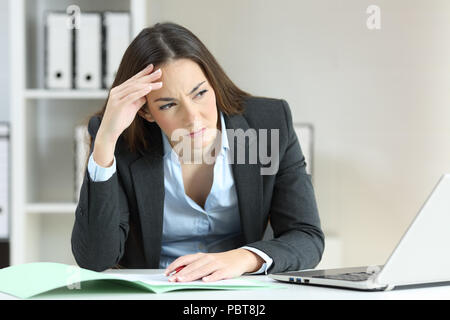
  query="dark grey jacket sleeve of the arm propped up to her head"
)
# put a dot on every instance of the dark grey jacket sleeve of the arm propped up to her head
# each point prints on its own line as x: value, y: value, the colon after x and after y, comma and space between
x: 101, y: 219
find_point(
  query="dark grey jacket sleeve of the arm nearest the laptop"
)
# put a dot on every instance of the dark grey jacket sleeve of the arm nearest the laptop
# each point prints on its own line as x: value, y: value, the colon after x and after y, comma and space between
x: 298, y: 241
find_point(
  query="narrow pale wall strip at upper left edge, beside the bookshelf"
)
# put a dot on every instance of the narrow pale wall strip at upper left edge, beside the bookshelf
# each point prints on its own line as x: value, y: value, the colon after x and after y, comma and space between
x: 4, y: 61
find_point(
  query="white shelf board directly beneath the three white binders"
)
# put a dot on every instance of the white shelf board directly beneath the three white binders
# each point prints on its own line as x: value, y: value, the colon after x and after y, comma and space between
x: 65, y: 94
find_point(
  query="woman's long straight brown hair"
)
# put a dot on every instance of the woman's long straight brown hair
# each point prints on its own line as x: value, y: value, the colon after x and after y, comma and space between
x: 163, y: 43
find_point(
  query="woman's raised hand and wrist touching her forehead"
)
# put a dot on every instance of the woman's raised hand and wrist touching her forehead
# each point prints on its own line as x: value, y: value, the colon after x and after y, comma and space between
x: 123, y: 103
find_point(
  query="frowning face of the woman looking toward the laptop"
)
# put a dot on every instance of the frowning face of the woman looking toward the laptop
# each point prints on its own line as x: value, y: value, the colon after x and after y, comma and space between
x: 186, y: 101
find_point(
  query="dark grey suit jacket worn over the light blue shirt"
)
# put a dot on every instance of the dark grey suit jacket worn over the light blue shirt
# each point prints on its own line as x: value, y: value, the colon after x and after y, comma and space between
x: 119, y: 221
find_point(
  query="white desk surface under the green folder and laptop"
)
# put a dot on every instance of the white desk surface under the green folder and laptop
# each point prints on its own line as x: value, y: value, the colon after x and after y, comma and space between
x: 291, y: 292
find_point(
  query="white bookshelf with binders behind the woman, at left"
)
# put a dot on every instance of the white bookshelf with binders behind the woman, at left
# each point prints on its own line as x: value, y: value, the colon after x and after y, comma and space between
x: 42, y: 132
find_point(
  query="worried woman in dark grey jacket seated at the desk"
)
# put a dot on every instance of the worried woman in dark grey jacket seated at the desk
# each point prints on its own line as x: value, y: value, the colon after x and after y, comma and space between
x: 146, y: 202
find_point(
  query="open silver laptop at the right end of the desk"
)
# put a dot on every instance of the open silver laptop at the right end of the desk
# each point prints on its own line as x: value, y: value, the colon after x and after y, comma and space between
x: 420, y: 258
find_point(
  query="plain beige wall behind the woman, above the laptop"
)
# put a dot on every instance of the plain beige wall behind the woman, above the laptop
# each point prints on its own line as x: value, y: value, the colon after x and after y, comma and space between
x: 379, y: 99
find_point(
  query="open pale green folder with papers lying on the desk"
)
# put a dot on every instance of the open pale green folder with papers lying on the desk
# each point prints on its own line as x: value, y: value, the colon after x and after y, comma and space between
x: 30, y: 279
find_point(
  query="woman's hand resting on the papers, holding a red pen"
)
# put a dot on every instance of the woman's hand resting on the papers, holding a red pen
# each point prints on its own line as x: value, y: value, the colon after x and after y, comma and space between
x: 214, y: 266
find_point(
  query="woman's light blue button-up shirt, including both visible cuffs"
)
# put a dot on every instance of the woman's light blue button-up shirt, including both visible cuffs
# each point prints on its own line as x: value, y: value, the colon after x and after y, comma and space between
x: 187, y: 227
